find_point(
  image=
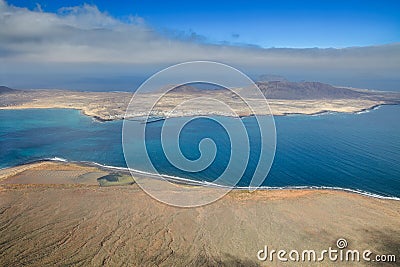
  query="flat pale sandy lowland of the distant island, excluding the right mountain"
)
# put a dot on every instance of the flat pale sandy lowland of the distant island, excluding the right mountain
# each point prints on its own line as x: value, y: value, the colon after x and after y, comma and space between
x: 110, y: 106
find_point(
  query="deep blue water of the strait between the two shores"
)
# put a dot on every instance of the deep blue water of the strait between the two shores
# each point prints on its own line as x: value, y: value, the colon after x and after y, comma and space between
x: 355, y: 151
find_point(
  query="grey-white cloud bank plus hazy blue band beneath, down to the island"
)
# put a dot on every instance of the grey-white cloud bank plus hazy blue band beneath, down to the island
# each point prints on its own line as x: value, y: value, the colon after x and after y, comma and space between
x: 79, y: 46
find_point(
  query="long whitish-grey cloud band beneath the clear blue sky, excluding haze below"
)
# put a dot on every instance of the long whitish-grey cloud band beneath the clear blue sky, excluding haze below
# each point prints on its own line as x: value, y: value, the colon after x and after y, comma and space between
x: 84, y: 35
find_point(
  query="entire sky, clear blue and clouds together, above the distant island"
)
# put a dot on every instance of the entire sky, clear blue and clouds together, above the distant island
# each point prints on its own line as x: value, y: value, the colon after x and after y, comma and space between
x: 96, y: 45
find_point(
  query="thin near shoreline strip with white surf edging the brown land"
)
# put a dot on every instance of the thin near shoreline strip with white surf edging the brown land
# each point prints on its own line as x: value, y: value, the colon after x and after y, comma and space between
x: 184, y: 181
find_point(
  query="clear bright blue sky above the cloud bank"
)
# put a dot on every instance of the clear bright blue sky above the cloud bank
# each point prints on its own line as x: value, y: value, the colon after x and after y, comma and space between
x: 295, y: 24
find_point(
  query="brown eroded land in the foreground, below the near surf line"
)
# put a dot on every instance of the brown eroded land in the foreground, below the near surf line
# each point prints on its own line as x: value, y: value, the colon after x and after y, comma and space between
x: 56, y: 213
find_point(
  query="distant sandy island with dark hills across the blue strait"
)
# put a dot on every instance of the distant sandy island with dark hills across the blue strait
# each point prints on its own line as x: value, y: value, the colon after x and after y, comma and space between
x: 283, y: 98
